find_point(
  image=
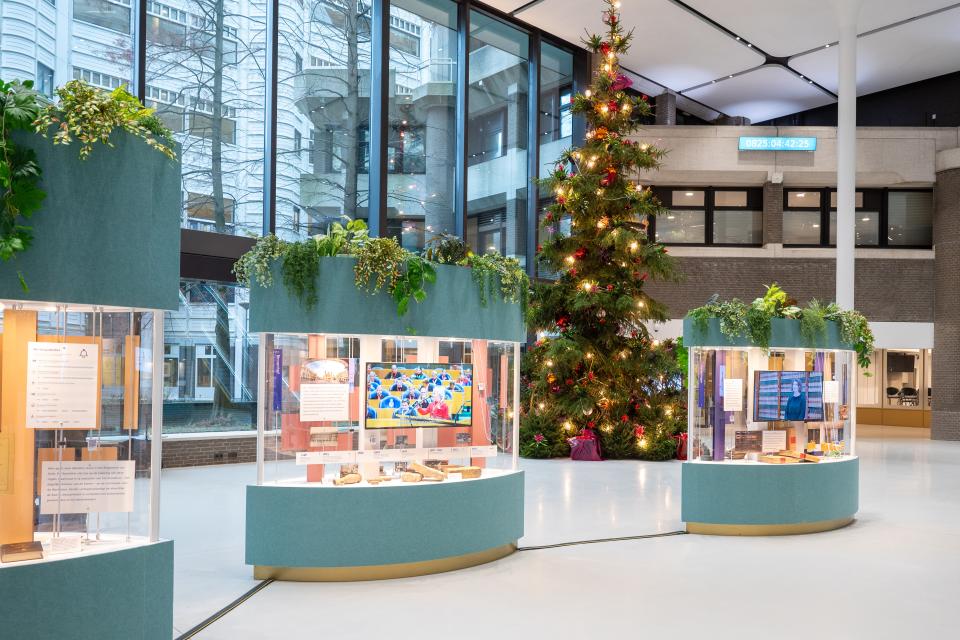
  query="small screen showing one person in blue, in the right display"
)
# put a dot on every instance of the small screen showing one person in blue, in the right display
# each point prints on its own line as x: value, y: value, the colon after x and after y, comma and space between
x: 788, y: 395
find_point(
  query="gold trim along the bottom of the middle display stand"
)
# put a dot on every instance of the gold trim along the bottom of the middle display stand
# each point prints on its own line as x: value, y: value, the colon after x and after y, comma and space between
x: 382, y: 571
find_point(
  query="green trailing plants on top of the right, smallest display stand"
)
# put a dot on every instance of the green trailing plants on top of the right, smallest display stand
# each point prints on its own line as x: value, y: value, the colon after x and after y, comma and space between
x: 754, y: 322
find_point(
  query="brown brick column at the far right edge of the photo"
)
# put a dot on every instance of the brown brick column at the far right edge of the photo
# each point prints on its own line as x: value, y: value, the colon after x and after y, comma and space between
x: 945, y: 424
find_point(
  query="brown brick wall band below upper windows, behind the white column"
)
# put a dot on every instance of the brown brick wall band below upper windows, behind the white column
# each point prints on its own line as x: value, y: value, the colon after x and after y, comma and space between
x: 887, y: 290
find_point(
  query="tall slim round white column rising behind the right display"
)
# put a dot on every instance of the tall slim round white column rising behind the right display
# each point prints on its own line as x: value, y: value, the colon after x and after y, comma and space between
x: 847, y: 151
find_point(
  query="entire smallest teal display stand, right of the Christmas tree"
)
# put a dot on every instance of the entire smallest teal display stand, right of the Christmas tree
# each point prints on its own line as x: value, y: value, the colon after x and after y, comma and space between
x: 771, y: 447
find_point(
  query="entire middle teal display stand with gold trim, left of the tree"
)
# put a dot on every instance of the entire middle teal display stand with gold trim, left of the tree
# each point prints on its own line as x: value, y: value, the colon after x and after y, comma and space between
x: 350, y: 392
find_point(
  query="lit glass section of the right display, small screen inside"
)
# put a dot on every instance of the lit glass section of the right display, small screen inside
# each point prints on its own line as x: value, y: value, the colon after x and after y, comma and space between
x: 777, y: 406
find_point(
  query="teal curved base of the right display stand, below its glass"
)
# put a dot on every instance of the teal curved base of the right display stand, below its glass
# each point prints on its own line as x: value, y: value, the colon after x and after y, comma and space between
x: 721, y: 493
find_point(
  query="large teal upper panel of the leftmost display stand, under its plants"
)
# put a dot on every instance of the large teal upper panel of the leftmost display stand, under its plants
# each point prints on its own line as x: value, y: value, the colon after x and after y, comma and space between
x: 108, y: 232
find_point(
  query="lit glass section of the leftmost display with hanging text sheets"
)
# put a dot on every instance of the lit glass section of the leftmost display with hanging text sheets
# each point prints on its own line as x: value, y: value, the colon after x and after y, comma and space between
x: 79, y: 412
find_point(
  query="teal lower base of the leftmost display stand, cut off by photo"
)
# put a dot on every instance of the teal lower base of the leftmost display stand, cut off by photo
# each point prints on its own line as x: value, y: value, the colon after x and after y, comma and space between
x: 117, y: 595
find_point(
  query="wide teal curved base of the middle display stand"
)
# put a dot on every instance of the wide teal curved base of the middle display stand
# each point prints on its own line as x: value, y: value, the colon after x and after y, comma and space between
x: 380, y: 525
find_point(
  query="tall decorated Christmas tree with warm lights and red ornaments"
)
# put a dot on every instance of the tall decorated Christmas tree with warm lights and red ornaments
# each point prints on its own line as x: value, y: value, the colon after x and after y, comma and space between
x: 597, y: 368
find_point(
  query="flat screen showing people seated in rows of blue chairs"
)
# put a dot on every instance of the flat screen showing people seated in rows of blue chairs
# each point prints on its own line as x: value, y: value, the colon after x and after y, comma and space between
x: 418, y: 394
